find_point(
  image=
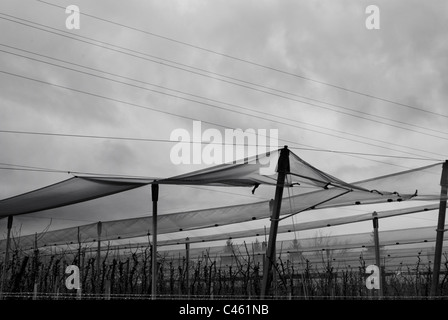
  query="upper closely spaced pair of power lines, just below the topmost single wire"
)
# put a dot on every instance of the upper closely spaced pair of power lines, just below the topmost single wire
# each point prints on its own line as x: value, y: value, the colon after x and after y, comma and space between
x: 219, y: 79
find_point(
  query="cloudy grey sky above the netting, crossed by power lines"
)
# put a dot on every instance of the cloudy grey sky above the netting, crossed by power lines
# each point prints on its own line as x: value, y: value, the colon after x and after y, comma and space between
x: 313, y: 64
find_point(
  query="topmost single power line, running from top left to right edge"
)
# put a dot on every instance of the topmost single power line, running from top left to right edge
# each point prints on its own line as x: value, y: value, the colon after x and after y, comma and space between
x: 254, y: 63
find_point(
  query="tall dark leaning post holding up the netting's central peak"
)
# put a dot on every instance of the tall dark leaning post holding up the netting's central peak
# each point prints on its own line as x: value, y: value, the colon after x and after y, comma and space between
x: 282, y: 170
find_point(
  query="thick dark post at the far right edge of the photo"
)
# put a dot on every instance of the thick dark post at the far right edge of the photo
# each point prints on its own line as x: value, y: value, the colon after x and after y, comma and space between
x: 440, y: 231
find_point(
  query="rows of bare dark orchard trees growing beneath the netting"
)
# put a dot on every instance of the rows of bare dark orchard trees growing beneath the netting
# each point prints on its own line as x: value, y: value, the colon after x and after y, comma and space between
x: 236, y: 272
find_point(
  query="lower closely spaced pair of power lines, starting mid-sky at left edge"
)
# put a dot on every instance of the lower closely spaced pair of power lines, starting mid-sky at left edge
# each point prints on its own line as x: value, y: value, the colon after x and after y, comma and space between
x: 199, y: 102
